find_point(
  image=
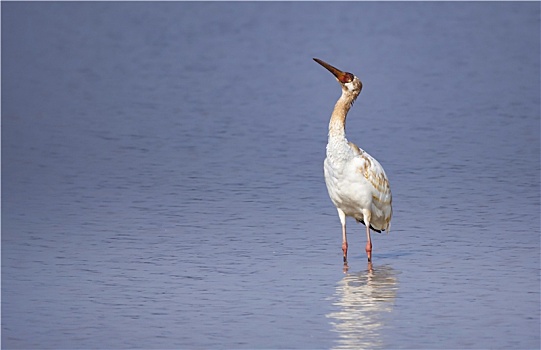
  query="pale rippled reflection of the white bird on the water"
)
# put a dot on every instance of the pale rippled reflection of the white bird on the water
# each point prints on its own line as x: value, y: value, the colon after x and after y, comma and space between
x: 363, y: 300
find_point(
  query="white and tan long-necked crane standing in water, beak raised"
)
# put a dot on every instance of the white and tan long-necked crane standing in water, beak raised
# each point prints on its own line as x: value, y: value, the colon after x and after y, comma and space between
x: 356, y: 181
